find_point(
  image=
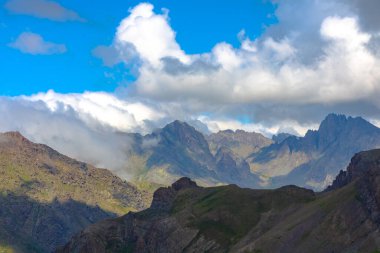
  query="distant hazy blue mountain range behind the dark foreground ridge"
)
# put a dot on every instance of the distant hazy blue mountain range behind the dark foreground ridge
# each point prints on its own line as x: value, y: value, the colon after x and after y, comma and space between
x: 250, y: 159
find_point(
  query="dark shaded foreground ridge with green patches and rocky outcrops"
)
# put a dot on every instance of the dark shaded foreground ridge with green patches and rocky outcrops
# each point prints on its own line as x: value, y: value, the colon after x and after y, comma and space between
x: 189, y: 218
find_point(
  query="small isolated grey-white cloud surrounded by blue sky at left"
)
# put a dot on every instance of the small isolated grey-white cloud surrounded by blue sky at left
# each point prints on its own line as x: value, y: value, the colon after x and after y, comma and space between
x: 32, y: 43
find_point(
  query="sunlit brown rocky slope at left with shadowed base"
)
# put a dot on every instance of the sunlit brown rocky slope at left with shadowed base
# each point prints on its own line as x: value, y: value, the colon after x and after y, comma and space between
x: 46, y: 197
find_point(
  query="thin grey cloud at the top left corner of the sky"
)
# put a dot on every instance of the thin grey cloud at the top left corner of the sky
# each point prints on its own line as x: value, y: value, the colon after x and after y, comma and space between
x: 42, y: 9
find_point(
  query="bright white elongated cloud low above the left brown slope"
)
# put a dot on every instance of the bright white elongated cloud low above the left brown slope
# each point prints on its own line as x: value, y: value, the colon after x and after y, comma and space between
x: 102, y: 108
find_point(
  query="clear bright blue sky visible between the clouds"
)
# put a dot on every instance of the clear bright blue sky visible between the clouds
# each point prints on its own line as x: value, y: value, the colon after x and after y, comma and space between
x: 200, y: 25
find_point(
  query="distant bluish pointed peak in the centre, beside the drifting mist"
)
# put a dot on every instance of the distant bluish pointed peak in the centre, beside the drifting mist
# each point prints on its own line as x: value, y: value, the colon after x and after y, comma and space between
x: 179, y: 150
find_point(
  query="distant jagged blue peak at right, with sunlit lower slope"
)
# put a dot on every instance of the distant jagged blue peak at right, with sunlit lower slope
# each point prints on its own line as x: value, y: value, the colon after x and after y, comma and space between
x: 315, y: 159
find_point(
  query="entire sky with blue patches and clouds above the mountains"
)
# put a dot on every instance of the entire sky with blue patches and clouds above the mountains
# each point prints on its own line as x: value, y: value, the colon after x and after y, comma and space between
x: 74, y: 75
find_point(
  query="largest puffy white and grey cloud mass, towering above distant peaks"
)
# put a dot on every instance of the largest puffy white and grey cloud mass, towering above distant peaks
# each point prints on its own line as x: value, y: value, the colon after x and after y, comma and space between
x: 324, y: 60
